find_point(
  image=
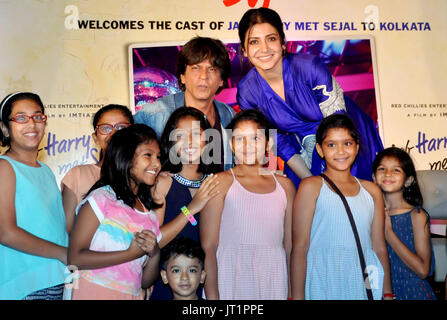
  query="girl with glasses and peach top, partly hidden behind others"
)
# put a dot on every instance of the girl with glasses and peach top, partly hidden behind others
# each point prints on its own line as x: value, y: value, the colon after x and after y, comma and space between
x: 80, y: 179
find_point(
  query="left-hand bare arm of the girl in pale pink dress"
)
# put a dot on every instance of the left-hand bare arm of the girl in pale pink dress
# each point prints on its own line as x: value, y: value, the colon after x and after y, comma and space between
x: 210, y: 218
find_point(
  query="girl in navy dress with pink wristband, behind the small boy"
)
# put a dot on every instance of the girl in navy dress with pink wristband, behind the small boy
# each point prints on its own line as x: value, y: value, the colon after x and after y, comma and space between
x: 184, y: 189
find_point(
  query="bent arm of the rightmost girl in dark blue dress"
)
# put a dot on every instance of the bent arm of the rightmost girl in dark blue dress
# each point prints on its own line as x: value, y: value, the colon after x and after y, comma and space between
x: 418, y: 262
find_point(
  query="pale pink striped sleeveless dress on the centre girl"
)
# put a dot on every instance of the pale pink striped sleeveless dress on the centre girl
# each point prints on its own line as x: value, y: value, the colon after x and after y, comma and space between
x: 251, y: 259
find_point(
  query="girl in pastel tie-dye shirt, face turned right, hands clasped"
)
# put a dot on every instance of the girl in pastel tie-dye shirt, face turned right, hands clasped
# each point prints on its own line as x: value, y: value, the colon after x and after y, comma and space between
x: 114, y: 241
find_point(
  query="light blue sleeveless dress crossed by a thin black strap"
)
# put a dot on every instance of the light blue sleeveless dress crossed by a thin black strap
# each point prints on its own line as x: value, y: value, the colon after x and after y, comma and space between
x: 333, y: 265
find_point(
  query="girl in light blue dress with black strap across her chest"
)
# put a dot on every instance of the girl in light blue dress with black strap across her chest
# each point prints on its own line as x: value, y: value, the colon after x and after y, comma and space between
x: 325, y: 259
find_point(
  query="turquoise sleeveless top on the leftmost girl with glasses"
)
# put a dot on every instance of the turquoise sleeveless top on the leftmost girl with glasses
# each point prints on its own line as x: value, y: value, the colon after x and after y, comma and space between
x: 39, y: 211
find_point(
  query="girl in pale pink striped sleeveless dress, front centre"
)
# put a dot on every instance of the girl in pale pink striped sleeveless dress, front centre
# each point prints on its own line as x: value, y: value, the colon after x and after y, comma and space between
x: 246, y: 229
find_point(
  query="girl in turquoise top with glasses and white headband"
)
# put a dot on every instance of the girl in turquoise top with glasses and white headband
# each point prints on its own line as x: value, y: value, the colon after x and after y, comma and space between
x: 33, y: 240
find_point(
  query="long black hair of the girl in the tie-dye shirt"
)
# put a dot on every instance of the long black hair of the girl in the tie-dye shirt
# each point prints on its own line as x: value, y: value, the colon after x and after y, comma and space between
x: 118, y: 161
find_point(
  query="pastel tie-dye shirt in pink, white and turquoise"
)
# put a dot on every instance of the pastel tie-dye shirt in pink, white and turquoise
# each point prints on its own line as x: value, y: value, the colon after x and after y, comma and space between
x: 117, y: 224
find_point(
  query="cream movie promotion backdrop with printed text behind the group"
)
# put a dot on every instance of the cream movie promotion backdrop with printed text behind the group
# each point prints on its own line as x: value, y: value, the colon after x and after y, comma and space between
x: 388, y: 56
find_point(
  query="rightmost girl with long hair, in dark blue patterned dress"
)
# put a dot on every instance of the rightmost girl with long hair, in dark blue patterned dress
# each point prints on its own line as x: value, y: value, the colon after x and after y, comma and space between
x: 407, y: 227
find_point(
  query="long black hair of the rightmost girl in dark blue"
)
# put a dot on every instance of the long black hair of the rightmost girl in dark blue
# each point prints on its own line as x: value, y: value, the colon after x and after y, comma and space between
x: 412, y: 194
